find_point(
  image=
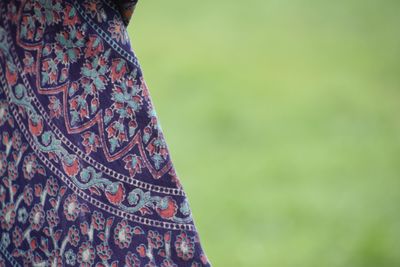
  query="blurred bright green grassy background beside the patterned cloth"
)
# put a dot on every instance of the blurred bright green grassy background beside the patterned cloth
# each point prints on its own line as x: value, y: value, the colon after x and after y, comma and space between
x: 282, y: 119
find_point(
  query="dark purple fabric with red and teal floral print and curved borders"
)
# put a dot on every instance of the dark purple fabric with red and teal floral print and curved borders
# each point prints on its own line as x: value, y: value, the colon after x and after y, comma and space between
x: 86, y: 178
